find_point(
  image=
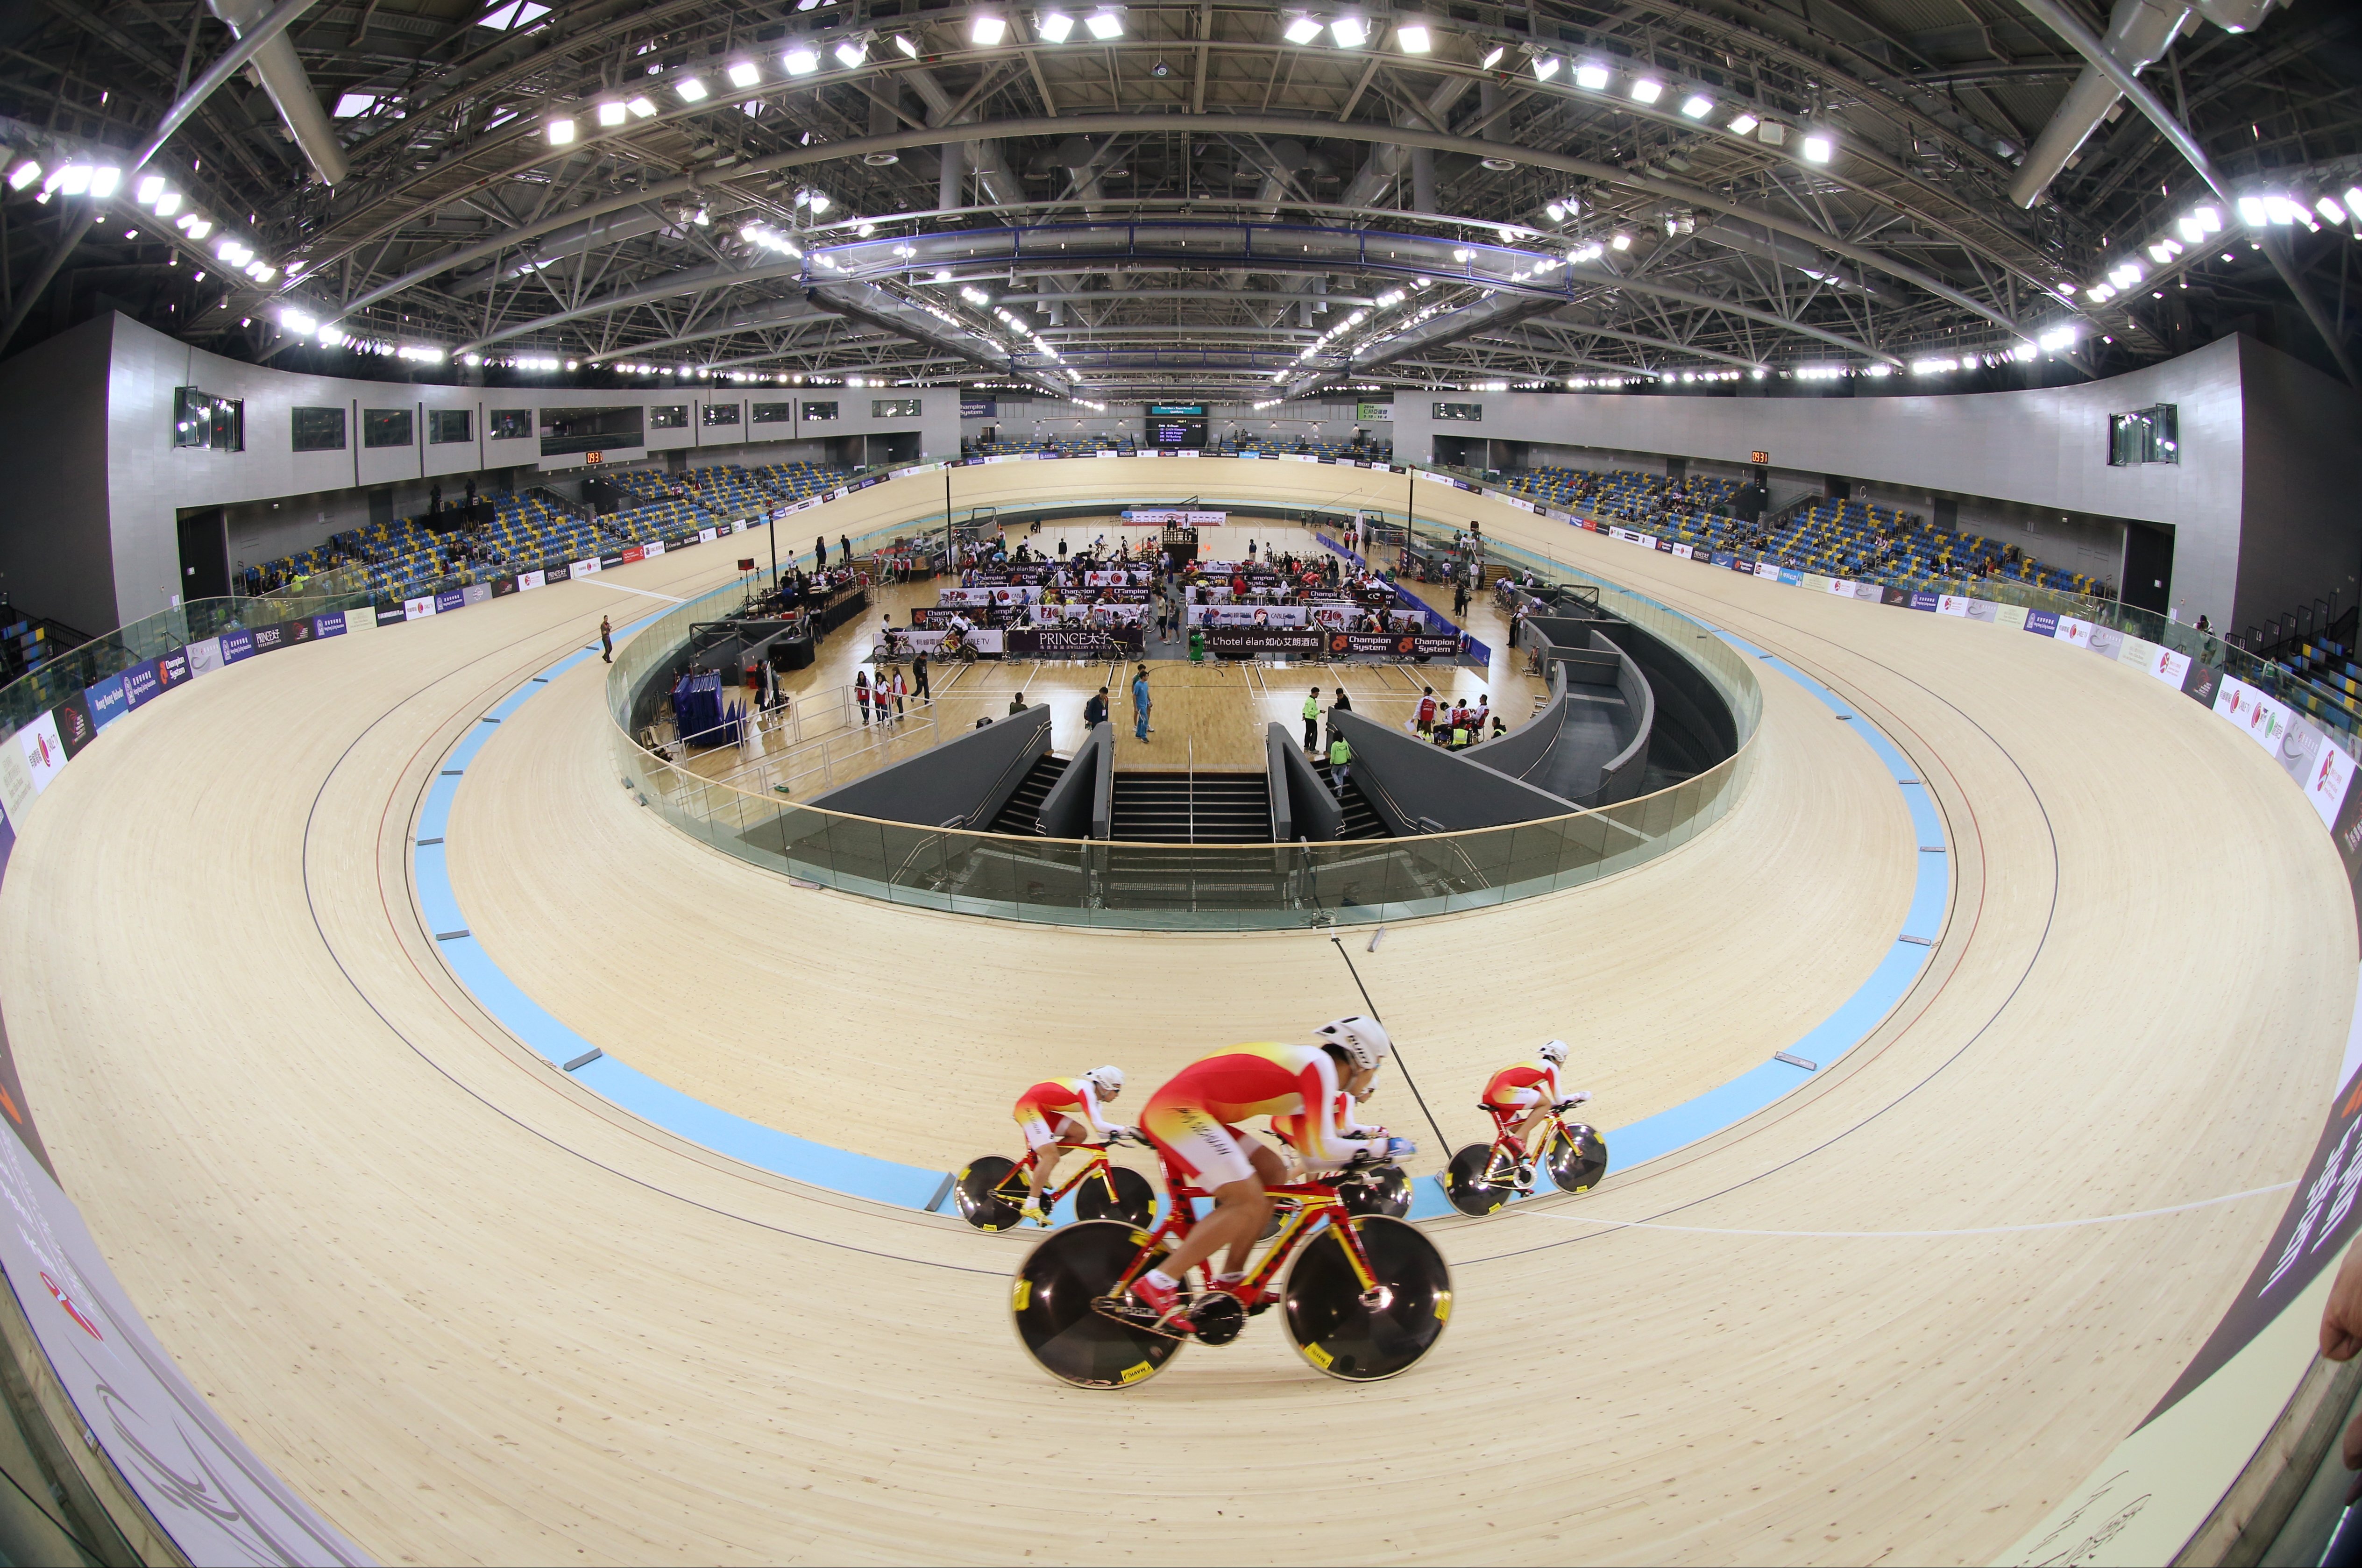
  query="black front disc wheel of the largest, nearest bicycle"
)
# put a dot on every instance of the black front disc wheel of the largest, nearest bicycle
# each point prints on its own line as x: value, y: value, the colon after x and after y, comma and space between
x: 1369, y: 1335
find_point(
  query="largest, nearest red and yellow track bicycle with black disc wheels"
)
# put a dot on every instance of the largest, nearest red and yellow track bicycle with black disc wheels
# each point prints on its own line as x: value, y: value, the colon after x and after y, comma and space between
x: 1364, y: 1295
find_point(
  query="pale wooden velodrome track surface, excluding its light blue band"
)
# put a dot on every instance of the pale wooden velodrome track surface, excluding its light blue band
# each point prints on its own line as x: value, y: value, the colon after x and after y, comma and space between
x: 478, y: 1314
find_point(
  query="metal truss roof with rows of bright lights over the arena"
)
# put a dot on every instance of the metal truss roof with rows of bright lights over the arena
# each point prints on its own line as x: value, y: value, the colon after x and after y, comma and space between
x: 1192, y: 200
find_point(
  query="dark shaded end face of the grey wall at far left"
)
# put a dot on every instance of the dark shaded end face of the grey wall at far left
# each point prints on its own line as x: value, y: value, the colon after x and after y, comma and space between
x: 56, y: 554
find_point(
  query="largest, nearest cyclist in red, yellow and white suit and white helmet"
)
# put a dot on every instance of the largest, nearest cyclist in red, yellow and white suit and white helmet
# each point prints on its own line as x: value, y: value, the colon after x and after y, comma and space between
x: 1194, y: 1123
